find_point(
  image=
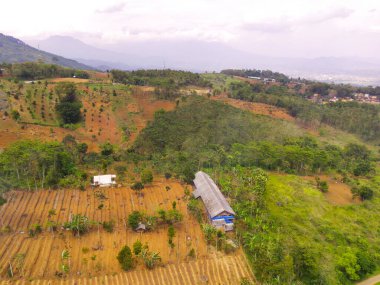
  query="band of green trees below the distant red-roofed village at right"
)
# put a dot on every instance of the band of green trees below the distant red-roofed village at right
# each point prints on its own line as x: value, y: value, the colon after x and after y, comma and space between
x: 357, y: 118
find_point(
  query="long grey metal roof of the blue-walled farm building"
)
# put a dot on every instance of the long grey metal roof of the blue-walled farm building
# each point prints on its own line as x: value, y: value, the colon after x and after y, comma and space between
x: 213, y: 199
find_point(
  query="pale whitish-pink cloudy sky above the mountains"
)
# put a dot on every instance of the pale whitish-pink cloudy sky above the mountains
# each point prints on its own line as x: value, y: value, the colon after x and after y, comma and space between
x: 306, y: 28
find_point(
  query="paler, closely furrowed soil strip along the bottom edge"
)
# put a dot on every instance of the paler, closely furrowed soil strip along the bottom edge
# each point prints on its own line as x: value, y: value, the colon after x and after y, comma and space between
x: 227, y: 270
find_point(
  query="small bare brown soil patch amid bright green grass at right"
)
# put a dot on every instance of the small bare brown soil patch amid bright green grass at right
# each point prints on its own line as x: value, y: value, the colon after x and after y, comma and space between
x: 339, y: 193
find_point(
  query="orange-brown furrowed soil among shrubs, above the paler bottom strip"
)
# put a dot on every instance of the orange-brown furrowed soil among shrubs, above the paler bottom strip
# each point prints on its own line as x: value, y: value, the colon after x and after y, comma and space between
x: 43, y: 252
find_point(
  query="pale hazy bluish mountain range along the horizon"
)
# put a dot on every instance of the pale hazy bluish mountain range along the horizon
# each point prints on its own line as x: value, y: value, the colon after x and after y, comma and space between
x: 199, y: 56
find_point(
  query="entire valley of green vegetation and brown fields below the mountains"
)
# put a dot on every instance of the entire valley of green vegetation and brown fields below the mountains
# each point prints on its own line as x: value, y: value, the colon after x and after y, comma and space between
x: 298, y: 182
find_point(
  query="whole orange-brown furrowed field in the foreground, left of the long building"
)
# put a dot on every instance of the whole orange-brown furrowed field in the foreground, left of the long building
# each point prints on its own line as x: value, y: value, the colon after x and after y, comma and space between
x: 94, y: 254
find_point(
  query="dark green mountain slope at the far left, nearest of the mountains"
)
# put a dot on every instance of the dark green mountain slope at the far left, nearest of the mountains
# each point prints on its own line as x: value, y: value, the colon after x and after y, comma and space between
x: 13, y: 50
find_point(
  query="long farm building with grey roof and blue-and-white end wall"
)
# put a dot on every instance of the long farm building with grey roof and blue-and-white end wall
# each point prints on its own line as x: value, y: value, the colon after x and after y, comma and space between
x: 219, y: 211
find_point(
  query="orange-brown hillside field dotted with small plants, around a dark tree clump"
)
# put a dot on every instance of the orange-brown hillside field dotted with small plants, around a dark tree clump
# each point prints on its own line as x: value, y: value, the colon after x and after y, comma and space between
x: 106, y: 117
